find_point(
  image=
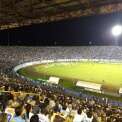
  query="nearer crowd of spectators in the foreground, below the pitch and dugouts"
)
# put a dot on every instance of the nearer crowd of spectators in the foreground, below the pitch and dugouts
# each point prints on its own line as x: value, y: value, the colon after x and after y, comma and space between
x: 23, y: 101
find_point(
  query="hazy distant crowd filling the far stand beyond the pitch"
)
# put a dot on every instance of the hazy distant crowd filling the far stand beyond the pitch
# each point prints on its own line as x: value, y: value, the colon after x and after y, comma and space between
x: 12, y: 56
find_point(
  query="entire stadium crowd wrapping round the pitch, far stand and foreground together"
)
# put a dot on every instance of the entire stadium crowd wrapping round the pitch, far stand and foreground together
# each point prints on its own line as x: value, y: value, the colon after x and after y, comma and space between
x: 24, y: 101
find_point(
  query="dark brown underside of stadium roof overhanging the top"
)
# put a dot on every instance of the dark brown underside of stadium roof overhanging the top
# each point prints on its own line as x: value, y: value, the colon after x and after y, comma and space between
x: 16, y: 13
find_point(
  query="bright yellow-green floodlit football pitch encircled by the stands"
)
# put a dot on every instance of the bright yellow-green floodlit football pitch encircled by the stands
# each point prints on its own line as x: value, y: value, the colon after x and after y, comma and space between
x: 108, y: 74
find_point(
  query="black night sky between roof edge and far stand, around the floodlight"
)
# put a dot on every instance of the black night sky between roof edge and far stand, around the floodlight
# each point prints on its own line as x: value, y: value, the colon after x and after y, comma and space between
x: 92, y: 30
